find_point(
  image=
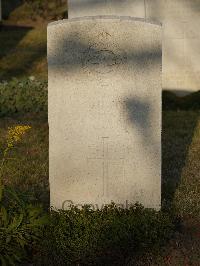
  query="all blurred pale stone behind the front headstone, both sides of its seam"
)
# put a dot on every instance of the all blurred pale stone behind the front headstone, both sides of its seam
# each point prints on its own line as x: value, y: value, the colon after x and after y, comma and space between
x: 181, y: 35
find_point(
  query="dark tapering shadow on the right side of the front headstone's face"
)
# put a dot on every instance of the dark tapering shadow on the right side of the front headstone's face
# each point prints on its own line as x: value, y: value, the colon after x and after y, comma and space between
x: 145, y: 119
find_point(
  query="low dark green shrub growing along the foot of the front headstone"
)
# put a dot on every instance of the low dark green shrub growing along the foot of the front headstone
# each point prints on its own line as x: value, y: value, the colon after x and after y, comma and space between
x: 101, y: 237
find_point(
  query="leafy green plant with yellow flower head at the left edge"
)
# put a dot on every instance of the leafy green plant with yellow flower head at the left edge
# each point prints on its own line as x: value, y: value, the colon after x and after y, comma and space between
x: 20, y: 222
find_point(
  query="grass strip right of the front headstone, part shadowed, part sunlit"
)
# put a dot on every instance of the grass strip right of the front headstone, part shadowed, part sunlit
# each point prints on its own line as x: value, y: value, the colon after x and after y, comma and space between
x: 180, y: 157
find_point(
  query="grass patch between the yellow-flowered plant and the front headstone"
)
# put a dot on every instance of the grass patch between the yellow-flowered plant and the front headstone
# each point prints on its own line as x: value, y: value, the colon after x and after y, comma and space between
x: 27, y: 168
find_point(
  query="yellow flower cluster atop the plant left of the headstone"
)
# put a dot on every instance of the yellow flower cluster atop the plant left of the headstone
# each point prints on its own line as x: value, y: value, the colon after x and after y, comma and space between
x: 15, y: 134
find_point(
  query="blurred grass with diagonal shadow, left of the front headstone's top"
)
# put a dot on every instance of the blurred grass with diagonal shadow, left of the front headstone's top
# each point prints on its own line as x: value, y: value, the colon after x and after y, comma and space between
x: 22, y: 52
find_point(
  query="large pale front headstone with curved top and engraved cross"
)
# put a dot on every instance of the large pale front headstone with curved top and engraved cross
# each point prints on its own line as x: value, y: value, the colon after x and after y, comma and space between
x: 104, y: 111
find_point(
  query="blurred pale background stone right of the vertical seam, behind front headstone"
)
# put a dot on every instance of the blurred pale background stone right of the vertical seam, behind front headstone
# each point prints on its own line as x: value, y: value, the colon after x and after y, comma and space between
x: 181, y: 42
